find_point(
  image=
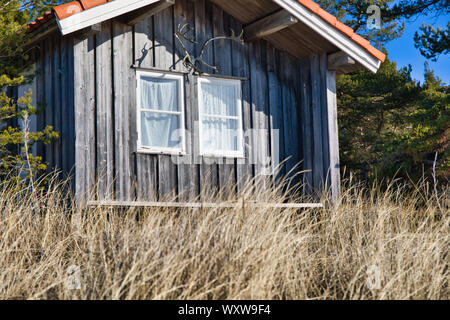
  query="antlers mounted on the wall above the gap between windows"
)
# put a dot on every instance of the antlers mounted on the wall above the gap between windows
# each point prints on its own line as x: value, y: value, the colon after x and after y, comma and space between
x: 194, y: 64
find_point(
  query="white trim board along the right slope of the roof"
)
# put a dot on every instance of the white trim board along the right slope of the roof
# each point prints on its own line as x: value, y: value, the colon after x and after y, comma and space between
x: 330, y: 33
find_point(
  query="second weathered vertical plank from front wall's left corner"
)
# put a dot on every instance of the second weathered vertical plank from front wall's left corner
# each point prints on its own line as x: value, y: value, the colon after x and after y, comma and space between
x: 104, y: 99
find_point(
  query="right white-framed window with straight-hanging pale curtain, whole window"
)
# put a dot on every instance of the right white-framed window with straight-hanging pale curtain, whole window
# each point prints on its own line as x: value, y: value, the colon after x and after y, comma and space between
x: 220, y: 116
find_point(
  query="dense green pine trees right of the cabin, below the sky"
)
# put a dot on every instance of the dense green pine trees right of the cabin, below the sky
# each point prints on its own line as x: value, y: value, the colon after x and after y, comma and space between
x: 391, y: 125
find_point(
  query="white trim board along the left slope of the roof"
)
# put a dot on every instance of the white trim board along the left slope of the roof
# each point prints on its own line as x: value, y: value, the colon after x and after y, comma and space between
x: 99, y: 14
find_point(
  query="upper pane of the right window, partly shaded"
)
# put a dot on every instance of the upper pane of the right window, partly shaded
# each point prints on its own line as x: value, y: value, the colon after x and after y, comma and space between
x: 219, y: 98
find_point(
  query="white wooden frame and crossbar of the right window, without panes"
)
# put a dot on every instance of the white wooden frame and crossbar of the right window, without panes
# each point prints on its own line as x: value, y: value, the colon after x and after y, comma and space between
x: 222, y: 153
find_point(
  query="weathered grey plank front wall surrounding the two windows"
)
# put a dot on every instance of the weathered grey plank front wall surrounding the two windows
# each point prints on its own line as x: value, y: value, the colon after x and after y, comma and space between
x: 283, y: 96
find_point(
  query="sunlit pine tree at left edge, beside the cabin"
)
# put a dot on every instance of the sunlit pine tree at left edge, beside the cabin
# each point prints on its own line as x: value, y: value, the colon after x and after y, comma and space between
x: 16, y: 159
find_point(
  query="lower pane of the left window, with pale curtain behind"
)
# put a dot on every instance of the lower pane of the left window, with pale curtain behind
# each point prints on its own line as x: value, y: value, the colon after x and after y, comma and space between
x: 160, y: 130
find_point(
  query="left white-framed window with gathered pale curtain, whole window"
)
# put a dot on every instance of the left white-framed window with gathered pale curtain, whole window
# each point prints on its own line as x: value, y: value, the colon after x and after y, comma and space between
x: 160, y: 102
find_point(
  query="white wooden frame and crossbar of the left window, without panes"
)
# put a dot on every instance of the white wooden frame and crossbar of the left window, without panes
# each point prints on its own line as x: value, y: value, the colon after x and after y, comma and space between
x: 181, y: 107
